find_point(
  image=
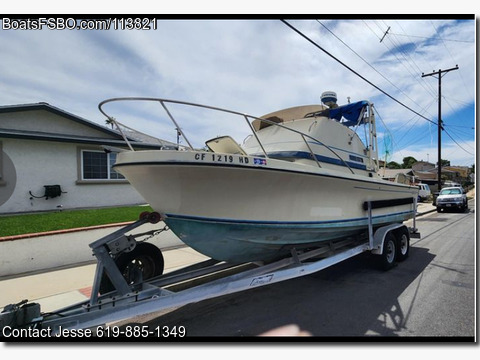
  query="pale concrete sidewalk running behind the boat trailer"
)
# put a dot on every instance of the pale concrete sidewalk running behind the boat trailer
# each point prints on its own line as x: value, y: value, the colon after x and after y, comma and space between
x: 59, y: 288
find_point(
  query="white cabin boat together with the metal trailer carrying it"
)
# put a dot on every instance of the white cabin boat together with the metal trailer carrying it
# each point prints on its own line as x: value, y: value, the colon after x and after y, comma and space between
x: 284, y: 193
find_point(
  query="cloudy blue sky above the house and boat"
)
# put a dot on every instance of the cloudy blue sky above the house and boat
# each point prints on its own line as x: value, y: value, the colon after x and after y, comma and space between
x: 257, y: 66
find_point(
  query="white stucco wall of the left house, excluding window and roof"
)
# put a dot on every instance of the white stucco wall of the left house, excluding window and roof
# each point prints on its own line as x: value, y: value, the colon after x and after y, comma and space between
x: 39, y: 163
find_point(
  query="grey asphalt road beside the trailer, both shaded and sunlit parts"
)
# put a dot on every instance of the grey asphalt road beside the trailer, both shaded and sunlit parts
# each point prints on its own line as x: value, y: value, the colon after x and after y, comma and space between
x: 431, y: 294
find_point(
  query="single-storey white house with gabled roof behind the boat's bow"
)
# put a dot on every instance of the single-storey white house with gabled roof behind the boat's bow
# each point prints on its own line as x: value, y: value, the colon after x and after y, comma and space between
x: 51, y: 159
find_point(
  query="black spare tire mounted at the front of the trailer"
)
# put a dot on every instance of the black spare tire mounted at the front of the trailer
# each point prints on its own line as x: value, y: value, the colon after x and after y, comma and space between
x: 142, y: 263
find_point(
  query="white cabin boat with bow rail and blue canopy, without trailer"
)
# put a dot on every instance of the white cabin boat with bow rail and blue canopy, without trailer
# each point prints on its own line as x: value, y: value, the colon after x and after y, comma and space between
x: 304, y: 176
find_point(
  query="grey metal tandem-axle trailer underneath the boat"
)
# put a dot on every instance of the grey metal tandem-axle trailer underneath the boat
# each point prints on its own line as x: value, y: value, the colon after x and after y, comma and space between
x: 194, y: 283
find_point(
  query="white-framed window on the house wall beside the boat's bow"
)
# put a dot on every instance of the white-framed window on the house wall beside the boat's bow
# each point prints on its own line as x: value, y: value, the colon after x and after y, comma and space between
x: 97, y: 165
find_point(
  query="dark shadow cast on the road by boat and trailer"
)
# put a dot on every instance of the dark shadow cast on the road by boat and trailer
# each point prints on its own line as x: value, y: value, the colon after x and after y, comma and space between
x: 350, y: 299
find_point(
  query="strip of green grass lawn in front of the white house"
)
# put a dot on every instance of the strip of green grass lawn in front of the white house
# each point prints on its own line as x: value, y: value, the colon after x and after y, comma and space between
x: 67, y: 219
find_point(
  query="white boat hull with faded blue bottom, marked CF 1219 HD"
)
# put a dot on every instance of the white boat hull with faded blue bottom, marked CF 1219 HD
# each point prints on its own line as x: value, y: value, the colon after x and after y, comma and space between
x: 243, y: 208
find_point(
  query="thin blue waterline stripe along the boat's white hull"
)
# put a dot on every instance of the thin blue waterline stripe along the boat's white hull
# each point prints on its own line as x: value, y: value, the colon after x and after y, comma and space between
x: 282, y: 223
